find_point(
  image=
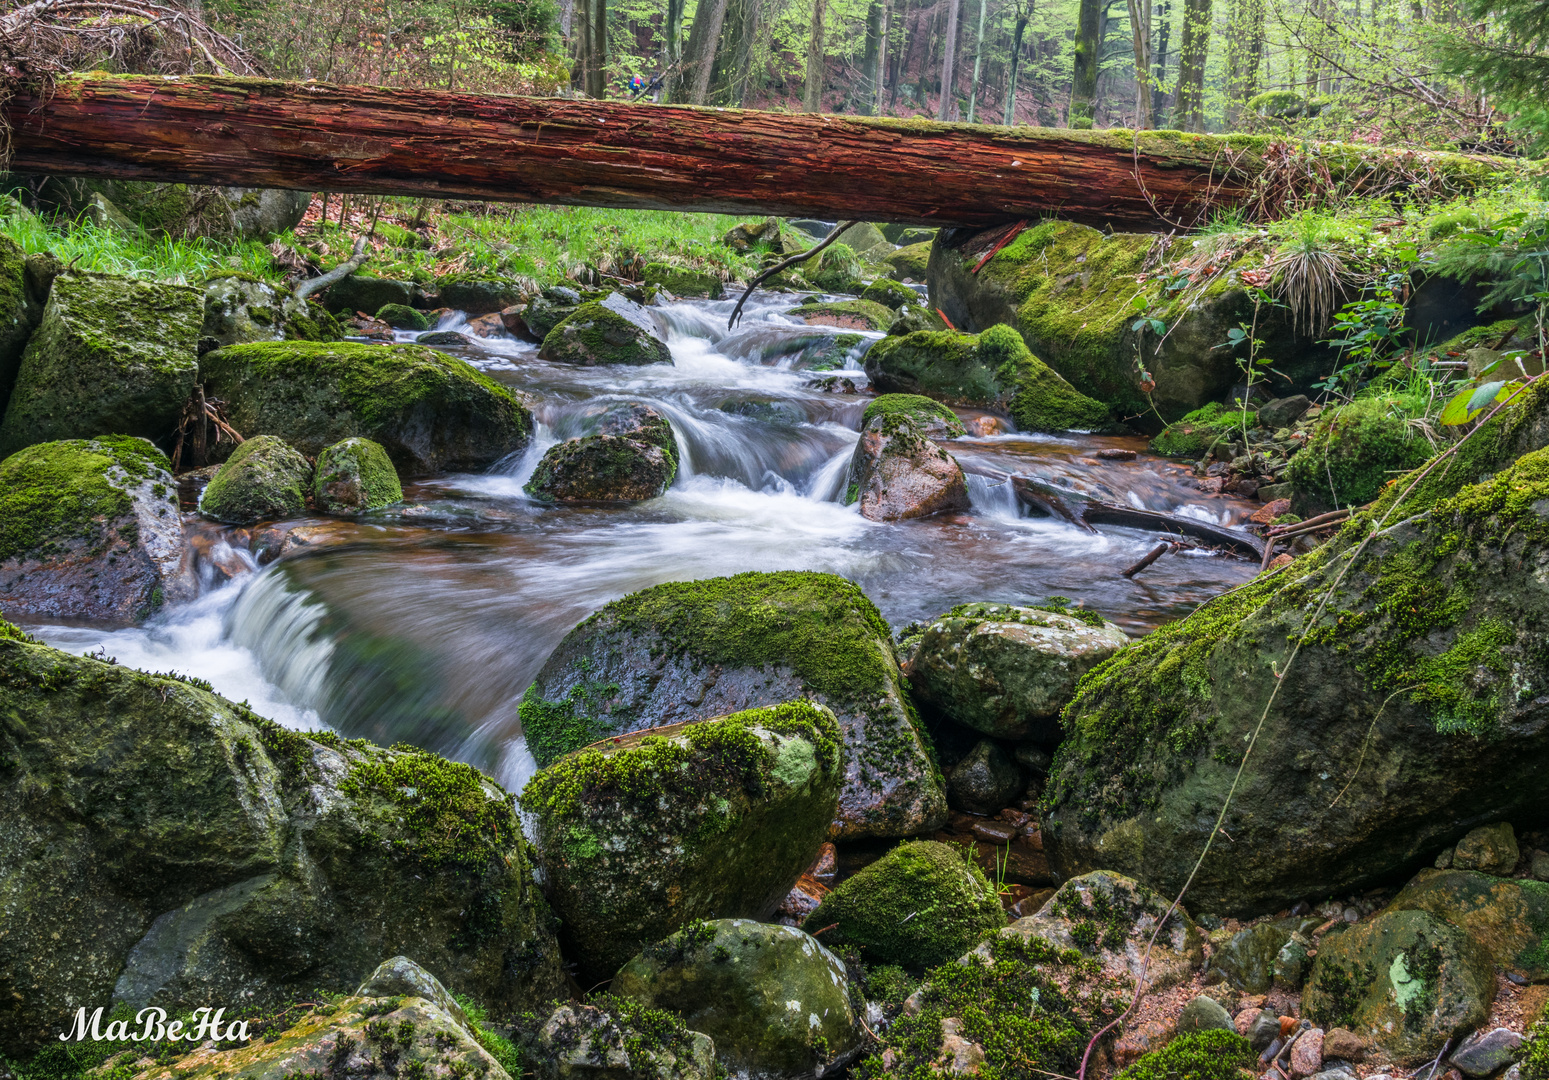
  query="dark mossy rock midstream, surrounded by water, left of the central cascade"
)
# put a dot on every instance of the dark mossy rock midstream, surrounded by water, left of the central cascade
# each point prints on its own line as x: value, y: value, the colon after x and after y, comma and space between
x: 631, y: 458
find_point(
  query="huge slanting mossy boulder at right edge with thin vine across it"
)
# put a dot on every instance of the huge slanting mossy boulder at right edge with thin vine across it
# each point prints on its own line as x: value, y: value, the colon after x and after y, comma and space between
x: 1427, y: 652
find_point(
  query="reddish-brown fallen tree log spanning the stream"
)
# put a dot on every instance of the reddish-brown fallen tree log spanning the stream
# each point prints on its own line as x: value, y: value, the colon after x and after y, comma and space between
x: 376, y: 140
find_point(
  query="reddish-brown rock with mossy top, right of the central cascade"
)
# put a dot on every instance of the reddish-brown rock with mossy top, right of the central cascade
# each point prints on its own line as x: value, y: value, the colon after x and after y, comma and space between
x: 898, y: 472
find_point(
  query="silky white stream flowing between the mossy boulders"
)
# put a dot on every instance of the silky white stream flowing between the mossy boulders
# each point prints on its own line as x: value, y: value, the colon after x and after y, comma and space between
x: 425, y: 622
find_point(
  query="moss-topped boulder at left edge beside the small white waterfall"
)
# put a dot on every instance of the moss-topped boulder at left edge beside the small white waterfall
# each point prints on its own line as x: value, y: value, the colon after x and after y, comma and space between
x: 91, y: 531
